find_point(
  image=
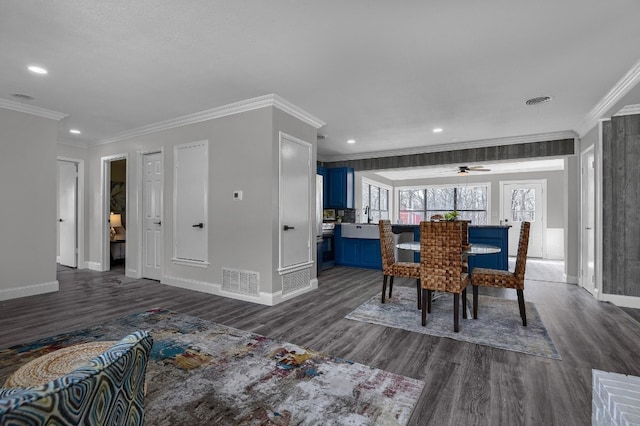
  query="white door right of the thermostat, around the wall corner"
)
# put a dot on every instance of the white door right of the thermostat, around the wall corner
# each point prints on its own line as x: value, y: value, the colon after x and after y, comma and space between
x: 295, y: 202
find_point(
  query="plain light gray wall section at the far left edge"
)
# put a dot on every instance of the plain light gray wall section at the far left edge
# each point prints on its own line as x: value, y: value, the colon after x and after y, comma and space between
x: 28, y: 204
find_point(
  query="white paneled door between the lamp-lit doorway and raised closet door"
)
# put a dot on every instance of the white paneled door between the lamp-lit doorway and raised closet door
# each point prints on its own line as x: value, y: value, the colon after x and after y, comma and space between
x: 152, y: 241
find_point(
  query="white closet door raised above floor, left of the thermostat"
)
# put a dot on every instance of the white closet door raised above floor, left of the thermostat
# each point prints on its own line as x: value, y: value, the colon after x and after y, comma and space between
x: 190, y: 201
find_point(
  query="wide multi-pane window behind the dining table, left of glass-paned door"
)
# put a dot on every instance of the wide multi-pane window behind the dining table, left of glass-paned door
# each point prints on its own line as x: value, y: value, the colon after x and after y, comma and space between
x: 420, y: 204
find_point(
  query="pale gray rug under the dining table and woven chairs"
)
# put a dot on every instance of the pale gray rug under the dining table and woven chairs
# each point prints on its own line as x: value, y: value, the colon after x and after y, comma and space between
x: 498, y: 324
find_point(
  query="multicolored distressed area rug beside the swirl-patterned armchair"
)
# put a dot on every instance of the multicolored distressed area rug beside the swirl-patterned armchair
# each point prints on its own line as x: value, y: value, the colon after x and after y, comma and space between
x: 206, y: 373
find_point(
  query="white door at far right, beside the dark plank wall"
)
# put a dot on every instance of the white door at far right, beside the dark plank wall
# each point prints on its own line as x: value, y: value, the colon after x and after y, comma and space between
x: 588, y: 221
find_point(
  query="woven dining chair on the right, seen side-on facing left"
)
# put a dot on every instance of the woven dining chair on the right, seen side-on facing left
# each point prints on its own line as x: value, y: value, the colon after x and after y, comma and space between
x: 505, y: 279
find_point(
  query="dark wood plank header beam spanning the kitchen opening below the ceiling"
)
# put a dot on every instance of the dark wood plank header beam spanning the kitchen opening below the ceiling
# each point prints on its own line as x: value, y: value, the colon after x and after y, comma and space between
x: 468, y: 156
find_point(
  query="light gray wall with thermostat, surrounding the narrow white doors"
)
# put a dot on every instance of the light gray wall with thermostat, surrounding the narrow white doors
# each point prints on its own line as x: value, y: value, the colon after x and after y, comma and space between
x: 243, y: 155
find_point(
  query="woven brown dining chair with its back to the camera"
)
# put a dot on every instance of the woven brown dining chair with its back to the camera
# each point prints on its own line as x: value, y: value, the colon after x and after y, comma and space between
x: 441, y: 266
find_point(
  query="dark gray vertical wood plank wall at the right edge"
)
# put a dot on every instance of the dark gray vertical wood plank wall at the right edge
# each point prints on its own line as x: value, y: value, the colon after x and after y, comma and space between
x: 621, y: 205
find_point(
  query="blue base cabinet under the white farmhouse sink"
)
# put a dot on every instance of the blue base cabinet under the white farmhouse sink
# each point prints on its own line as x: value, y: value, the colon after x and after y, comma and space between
x: 356, y: 252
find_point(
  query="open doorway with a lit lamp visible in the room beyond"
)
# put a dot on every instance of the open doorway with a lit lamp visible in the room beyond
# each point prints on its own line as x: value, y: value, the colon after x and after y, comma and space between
x: 114, y: 212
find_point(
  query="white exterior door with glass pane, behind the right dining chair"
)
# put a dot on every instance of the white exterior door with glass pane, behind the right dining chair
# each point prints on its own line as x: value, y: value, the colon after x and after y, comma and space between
x: 524, y: 201
